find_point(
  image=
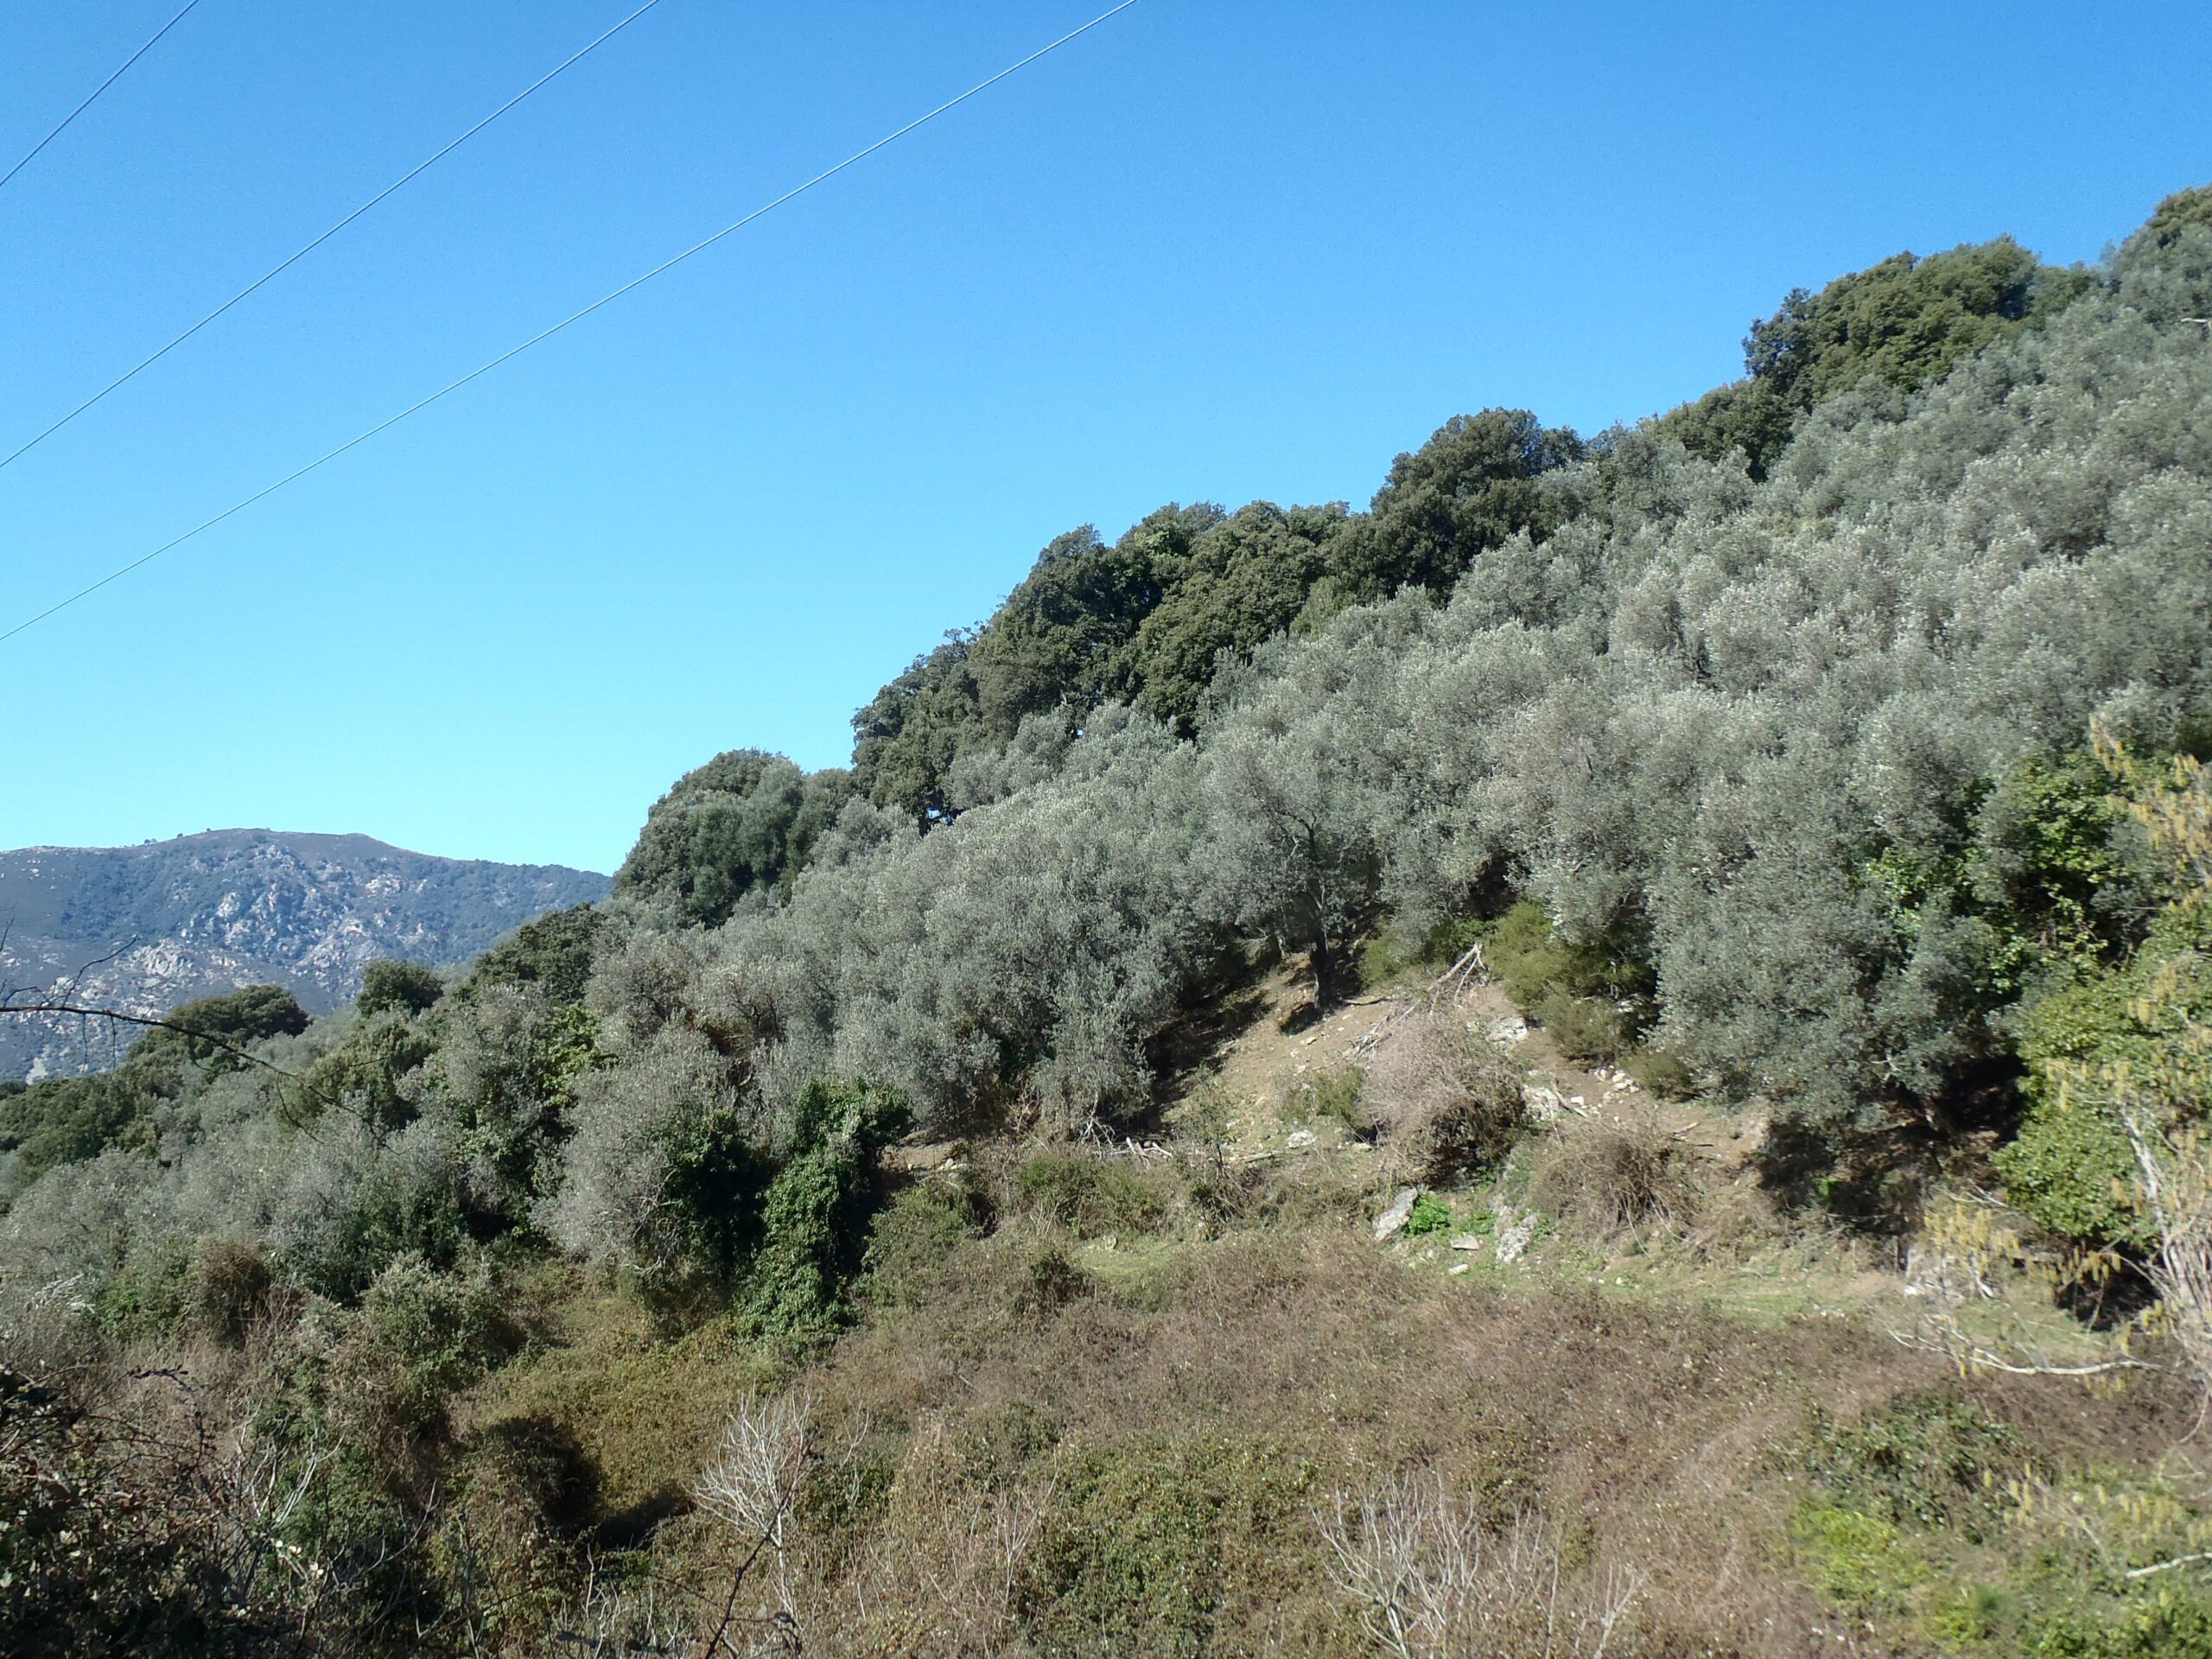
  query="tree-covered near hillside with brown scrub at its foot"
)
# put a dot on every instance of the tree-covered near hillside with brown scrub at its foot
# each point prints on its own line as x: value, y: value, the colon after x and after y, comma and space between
x: 1600, y: 1056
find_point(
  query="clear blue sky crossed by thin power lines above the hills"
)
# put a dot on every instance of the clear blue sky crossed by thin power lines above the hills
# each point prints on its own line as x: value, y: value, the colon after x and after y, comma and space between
x: 1213, y: 251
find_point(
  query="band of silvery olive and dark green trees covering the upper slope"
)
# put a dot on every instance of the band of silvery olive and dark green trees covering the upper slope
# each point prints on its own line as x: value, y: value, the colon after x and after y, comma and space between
x: 1744, y: 722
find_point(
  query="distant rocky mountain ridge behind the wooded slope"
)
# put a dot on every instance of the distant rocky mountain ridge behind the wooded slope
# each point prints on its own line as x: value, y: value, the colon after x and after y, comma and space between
x: 163, y: 924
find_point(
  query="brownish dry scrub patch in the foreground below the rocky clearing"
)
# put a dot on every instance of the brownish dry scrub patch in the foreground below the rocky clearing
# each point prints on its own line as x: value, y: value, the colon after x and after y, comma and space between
x: 1140, y: 1468
